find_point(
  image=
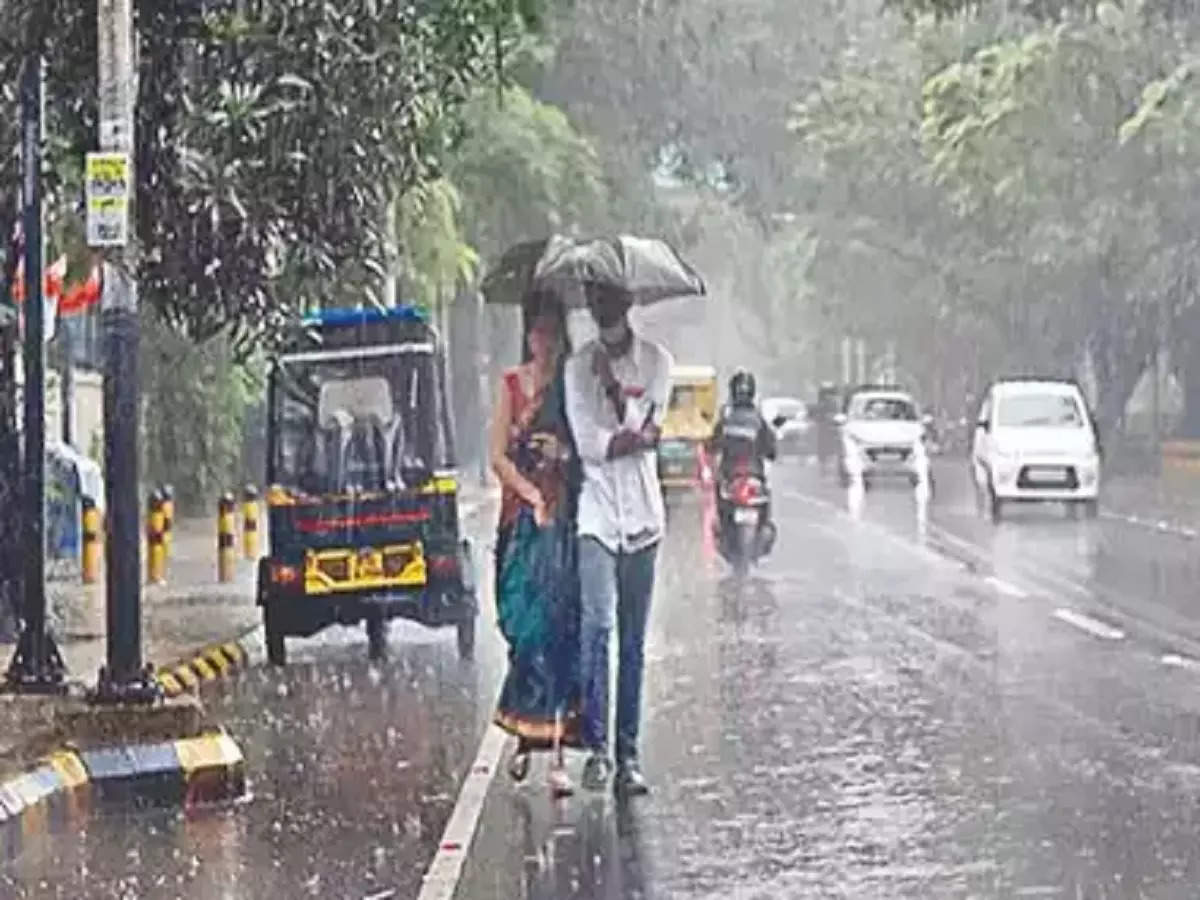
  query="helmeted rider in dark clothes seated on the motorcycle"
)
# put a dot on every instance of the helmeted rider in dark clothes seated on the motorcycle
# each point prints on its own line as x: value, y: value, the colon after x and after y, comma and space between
x: 743, y: 441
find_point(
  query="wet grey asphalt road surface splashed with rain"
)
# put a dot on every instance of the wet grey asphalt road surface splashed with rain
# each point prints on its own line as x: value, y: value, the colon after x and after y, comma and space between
x: 907, y: 701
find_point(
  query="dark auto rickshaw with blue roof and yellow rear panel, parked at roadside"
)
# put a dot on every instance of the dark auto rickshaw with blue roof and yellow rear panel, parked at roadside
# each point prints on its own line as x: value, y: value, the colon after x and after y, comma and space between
x: 364, y: 497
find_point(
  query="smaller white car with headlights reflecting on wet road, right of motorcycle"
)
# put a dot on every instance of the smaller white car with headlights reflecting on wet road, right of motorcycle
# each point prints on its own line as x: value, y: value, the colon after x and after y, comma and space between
x: 883, y: 435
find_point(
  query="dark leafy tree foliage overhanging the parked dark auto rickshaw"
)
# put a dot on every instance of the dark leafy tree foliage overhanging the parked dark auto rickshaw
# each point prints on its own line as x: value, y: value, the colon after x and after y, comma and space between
x: 272, y: 140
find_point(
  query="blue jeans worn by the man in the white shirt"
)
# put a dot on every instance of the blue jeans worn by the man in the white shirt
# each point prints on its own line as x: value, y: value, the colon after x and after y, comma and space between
x: 616, y: 590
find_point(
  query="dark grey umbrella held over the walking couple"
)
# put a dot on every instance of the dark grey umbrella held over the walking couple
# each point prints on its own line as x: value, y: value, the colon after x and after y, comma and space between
x: 645, y: 269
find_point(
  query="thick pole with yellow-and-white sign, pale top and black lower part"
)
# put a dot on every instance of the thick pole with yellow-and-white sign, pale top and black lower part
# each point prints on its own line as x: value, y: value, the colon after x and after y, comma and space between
x: 110, y: 231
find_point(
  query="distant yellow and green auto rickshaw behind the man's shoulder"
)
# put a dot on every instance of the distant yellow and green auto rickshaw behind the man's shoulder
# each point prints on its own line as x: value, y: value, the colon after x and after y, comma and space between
x: 687, y: 428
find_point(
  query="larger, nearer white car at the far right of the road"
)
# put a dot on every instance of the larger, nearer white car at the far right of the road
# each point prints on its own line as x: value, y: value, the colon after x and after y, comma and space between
x: 1036, y: 441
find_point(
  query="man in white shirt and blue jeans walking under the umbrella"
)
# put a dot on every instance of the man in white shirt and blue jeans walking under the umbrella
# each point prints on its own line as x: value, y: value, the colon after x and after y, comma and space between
x: 617, y: 394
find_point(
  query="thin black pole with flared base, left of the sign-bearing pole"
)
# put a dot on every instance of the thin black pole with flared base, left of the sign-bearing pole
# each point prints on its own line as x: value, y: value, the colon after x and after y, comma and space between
x: 37, y: 667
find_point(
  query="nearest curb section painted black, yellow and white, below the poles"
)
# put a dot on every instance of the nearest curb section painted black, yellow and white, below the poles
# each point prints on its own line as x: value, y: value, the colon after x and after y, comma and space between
x: 62, y: 793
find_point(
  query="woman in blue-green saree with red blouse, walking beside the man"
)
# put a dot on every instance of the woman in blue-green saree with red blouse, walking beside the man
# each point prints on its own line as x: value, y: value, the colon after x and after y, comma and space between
x: 537, y: 578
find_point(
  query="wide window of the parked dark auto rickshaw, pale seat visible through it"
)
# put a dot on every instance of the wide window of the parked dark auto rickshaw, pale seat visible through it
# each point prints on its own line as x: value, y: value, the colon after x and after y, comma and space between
x: 363, y: 419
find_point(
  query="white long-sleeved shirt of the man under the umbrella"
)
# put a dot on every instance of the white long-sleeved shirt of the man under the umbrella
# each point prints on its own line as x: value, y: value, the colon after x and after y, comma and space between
x: 621, y: 503
